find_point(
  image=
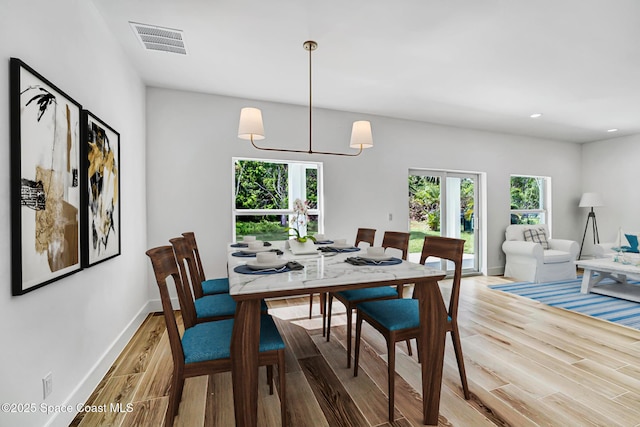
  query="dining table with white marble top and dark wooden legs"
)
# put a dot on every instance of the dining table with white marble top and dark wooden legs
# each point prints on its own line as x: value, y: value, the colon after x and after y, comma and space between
x: 328, y: 272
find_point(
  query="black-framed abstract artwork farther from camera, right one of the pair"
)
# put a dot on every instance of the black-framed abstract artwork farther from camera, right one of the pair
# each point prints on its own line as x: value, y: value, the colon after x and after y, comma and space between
x: 101, y: 232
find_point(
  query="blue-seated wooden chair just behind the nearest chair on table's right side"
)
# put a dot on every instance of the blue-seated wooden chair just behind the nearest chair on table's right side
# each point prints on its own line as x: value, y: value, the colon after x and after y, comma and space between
x: 350, y: 299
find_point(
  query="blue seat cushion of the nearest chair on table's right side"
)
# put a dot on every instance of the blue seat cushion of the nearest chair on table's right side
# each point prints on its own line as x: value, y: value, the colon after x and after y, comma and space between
x: 395, y: 314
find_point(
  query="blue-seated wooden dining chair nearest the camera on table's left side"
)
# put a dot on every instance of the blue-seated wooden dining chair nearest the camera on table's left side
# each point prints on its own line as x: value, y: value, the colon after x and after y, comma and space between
x: 204, y: 348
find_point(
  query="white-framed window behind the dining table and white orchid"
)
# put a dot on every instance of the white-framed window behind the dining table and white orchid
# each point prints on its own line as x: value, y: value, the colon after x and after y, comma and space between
x: 264, y: 193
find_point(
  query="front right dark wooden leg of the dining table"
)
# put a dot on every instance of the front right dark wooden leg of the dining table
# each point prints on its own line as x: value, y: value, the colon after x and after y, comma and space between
x: 433, y: 314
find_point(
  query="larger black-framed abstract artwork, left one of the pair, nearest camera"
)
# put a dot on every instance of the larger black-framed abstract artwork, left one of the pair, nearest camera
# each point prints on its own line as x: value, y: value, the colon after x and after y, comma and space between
x: 45, y: 182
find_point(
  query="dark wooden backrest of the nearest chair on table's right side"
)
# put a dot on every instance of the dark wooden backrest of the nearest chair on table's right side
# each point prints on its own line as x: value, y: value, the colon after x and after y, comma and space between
x: 452, y: 250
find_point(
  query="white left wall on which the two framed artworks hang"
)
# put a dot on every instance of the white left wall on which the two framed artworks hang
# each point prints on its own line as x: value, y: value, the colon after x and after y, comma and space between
x: 68, y: 328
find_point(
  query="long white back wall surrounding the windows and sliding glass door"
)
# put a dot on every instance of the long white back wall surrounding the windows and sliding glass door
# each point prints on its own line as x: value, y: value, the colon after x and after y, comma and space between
x: 192, y: 138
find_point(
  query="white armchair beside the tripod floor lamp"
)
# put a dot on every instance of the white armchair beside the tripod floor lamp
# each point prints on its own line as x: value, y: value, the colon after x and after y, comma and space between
x: 528, y: 261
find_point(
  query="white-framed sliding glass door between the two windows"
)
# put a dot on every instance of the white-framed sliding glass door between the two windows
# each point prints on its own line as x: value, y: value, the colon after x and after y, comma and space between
x: 443, y: 203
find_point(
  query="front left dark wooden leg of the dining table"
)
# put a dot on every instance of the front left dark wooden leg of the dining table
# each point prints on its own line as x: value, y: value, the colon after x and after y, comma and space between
x: 245, y: 343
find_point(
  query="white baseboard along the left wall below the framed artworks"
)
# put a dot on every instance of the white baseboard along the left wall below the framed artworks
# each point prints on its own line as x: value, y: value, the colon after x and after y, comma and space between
x: 89, y: 383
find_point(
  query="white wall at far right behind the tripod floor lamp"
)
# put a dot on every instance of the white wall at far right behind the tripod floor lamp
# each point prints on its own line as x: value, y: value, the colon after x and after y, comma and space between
x: 611, y: 168
